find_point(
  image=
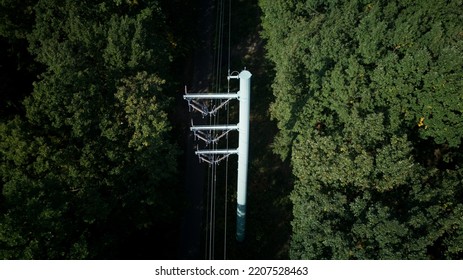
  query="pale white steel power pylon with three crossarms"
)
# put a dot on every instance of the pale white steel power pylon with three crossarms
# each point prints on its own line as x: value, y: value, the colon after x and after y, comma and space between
x: 215, y: 156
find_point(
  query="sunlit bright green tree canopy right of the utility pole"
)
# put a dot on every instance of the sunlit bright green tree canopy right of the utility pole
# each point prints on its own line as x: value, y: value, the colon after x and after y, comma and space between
x: 369, y: 104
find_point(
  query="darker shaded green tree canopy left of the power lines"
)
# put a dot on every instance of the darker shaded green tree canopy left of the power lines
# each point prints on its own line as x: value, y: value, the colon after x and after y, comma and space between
x: 88, y: 171
